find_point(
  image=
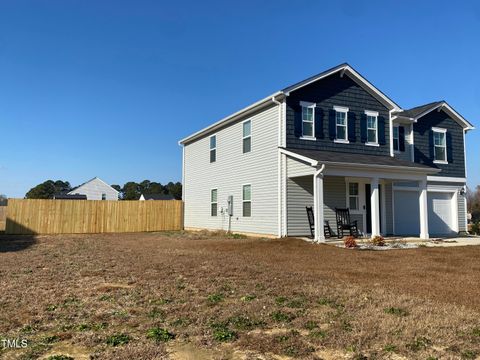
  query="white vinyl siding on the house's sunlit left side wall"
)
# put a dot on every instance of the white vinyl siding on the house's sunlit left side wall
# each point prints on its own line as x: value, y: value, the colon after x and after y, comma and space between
x: 230, y: 172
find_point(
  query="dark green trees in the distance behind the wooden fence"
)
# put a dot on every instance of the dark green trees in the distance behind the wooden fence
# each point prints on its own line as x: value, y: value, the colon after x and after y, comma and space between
x: 129, y: 191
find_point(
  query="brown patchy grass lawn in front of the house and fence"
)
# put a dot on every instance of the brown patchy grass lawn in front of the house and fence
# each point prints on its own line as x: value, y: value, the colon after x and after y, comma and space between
x: 208, y: 296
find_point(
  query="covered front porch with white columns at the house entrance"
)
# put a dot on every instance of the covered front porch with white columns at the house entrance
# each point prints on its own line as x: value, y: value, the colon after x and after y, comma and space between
x: 367, y: 190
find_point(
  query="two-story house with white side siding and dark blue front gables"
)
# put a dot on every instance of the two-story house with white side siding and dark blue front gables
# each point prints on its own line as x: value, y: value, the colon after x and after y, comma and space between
x: 330, y: 141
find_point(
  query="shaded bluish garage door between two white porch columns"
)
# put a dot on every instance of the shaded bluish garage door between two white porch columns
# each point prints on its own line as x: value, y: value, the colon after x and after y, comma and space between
x: 406, y: 212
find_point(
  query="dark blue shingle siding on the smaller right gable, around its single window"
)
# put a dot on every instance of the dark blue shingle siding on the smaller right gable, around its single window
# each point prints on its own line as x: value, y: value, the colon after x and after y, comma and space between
x: 423, y: 142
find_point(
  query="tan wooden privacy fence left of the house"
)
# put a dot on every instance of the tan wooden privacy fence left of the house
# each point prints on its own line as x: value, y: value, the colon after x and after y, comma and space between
x: 90, y: 216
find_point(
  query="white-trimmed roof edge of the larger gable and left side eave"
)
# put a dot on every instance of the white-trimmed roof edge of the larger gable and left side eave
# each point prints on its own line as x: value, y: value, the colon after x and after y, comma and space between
x: 279, y: 95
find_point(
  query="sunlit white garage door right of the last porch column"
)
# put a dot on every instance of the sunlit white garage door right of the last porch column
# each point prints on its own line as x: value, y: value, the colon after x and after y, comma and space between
x: 440, y: 217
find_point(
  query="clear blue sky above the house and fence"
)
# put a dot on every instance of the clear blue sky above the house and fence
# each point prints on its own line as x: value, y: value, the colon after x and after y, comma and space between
x: 107, y: 88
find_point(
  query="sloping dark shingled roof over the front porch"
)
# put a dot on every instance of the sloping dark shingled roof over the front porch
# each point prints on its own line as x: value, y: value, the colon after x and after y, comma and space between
x: 349, y: 159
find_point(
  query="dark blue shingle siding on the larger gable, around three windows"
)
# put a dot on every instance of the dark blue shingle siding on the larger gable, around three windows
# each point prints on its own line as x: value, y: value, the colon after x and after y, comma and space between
x: 327, y: 93
